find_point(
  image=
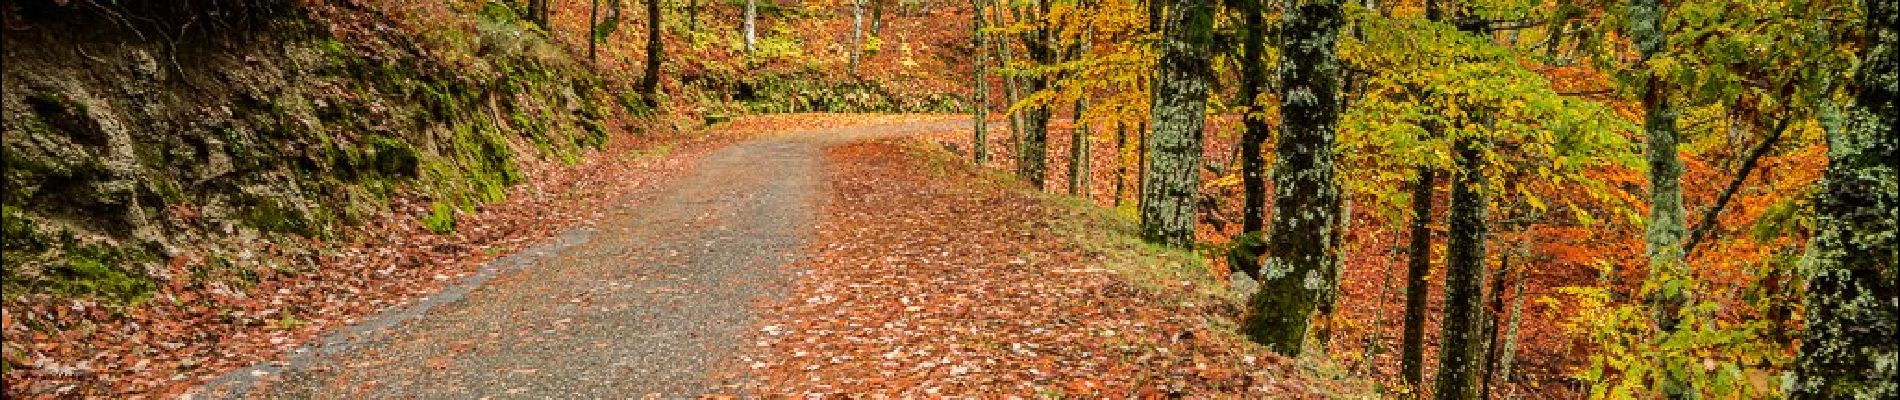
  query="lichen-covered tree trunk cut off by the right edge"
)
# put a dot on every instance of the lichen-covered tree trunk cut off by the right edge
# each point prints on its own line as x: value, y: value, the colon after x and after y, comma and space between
x: 1853, y: 300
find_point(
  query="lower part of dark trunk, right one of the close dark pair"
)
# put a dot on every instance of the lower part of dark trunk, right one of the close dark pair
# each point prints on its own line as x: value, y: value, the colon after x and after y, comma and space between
x: 1462, y: 338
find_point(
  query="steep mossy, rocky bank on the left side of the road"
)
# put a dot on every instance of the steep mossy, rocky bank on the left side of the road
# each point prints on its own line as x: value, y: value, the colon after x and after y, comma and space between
x: 248, y: 136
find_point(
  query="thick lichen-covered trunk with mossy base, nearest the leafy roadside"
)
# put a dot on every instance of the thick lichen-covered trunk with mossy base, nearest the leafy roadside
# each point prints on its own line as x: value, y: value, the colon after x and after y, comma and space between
x: 1306, y: 196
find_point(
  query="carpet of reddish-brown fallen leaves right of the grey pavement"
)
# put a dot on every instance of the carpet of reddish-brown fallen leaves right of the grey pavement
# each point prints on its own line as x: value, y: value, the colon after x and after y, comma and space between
x: 928, y: 282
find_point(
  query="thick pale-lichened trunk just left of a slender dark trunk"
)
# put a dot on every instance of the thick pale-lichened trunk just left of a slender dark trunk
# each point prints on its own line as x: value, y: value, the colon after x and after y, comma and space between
x: 1179, y: 117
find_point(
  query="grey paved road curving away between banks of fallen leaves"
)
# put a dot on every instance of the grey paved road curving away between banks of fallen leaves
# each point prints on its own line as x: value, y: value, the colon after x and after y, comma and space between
x: 655, y: 300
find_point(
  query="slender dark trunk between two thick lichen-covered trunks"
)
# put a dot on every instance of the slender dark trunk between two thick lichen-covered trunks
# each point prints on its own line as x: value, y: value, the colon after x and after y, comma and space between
x: 1253, y: 81
